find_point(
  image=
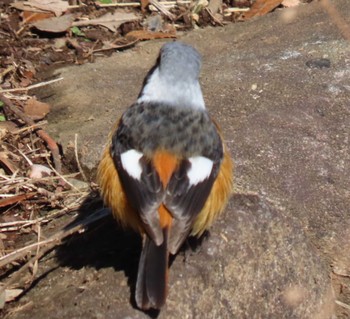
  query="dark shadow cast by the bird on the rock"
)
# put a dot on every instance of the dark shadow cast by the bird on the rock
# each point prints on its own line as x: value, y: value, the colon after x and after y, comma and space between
x: 106, y: 244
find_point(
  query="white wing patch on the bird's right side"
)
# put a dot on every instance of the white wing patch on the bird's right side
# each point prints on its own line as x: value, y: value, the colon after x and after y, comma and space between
x: 201, y: 168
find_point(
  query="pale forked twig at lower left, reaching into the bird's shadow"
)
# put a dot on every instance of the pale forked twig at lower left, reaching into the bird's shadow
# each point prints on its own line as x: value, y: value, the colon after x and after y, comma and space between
x: 47, y: 245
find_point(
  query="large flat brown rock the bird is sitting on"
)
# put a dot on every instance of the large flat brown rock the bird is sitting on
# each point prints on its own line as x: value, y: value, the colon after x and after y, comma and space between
x: 285, y: 114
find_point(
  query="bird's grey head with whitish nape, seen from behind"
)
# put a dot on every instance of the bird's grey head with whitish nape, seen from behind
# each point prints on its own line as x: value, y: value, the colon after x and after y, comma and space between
x: 174, y: 79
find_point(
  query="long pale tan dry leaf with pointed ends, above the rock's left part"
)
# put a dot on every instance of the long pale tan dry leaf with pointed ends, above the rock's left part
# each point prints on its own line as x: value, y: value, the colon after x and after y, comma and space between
x: 111, y: 21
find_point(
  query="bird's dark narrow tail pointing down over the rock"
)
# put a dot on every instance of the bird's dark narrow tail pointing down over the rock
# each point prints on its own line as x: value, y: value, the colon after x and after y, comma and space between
x: 152, y: 277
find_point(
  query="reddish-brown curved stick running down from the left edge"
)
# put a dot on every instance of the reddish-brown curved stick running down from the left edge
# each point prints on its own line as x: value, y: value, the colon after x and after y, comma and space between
x: 51, y: 144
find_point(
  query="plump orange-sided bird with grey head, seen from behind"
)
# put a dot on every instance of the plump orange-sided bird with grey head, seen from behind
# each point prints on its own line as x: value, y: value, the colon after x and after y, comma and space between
x: 165, y: 171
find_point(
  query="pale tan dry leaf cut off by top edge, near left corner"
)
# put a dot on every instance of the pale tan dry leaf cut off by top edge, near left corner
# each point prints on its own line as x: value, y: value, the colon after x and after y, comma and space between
x: 58, y: 7
